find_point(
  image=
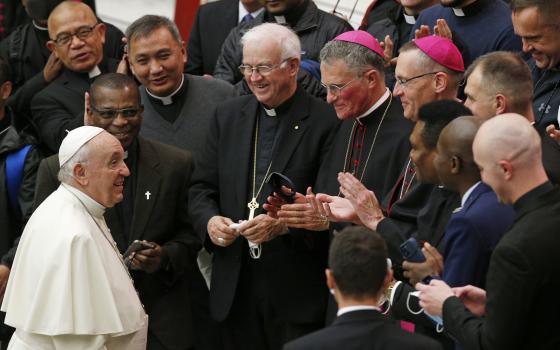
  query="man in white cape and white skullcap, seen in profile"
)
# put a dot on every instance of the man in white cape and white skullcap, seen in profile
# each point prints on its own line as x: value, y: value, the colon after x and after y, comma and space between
x: 69, y: 287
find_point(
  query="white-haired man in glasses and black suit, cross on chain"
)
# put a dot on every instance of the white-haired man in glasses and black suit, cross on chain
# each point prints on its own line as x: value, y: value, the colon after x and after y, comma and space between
x: 274, y: 291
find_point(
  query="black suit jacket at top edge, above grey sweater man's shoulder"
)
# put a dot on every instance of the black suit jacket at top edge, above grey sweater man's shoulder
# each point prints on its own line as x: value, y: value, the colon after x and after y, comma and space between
x: 211, y: 27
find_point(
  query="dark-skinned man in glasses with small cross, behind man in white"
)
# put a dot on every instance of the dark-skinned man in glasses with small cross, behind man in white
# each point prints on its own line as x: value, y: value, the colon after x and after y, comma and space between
x: 153, y: 211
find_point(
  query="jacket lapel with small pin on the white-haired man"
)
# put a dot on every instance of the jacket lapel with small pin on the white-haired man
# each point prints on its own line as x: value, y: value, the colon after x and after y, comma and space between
x: 292, y: 129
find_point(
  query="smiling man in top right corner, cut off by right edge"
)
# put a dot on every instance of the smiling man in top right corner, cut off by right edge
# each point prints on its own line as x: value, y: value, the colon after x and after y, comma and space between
x: 537, y: 23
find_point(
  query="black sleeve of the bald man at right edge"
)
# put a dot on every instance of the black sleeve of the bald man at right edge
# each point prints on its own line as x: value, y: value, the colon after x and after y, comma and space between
x: 510, y: 287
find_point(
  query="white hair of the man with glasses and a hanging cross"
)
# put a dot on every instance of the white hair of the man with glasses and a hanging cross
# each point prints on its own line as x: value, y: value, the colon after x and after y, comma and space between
x: 285, y: 38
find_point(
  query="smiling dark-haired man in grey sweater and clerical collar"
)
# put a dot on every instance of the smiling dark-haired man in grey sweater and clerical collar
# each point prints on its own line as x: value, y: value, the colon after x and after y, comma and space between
x: 177, y: 106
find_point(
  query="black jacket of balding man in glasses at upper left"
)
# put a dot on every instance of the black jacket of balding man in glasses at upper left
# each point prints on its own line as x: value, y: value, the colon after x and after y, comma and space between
x: 60, y: 105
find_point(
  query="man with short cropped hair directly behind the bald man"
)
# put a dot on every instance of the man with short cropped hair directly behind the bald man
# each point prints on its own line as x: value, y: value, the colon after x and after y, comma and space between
x: 500, y: 82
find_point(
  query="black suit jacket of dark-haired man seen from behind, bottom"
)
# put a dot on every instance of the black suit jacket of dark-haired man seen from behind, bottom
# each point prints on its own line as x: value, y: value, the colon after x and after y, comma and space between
x: 363, y: 330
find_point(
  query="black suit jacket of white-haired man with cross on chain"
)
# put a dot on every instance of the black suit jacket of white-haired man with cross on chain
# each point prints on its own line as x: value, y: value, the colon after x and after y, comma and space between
x: 294, y: 262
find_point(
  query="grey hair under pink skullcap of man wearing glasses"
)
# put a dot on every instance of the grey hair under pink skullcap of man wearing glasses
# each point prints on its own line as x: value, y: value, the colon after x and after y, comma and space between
x: 357, y: 57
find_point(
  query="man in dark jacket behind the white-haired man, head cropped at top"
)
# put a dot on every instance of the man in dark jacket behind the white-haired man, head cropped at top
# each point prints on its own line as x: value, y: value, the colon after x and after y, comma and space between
x: 313, y: 26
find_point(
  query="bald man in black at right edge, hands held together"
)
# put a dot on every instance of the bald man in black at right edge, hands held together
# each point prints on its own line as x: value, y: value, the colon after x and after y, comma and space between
x: 515, y: 310
